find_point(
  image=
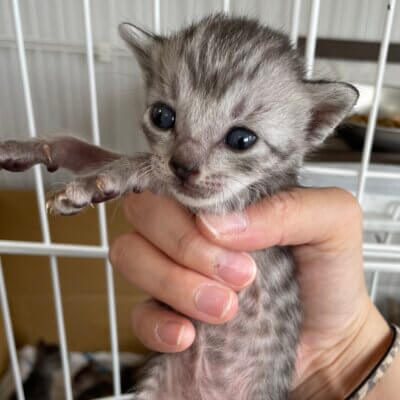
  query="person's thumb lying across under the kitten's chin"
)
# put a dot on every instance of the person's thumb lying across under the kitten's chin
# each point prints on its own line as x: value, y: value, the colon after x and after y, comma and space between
x: 298, y: 216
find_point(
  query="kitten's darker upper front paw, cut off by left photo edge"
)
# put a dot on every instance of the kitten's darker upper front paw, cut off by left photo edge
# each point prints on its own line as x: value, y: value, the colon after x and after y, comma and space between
x: 18, y: 156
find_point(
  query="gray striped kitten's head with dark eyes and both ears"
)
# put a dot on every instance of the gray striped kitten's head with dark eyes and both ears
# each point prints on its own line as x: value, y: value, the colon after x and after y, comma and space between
x: 229, y: 114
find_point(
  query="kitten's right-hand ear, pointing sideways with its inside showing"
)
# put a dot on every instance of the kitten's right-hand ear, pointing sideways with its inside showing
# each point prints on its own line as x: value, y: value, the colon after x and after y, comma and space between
x: 332, y: 101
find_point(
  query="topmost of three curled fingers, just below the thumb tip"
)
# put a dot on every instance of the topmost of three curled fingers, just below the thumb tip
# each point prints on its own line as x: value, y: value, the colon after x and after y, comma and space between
x: 172, y: 229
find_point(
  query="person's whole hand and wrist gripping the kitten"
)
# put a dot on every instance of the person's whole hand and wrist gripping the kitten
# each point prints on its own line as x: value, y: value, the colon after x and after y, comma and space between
x: 173, y: 255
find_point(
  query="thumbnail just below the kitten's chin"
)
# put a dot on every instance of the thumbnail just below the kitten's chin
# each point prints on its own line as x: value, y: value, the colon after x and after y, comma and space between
x: 225, y: 224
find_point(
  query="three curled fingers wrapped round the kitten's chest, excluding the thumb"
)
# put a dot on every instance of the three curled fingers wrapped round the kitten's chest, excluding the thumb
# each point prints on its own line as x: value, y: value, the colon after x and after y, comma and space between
x: 168, y: 257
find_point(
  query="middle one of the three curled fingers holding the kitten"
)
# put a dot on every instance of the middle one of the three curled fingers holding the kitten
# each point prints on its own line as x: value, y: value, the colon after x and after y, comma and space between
x: 184, y: 290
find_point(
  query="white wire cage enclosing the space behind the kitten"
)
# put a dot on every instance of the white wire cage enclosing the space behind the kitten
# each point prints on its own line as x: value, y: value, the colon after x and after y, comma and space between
x: 379, y: 257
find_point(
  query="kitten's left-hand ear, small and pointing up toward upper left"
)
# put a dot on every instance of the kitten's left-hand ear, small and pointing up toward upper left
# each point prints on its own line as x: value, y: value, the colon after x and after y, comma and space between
x: 140, y: 41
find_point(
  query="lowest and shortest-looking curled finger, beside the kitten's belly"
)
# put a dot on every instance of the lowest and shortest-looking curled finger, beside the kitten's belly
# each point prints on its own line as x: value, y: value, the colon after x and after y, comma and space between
x: 161, y: 329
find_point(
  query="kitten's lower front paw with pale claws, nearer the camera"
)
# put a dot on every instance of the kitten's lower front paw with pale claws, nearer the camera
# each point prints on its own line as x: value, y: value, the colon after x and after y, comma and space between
x: 82, y: 192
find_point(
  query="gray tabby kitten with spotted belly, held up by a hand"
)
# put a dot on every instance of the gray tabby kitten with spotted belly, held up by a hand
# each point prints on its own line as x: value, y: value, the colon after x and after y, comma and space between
x: 229, y: 120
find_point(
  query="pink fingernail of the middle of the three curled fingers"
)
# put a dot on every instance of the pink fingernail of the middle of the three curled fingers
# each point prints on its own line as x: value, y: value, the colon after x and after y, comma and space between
x: 213, y: 300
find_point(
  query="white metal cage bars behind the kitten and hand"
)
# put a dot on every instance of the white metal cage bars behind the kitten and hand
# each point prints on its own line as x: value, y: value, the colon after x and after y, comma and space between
x: 378, y: 257
